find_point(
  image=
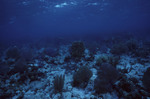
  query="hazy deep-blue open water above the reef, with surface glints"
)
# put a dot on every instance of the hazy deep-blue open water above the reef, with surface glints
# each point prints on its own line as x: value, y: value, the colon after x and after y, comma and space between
x: 30, y: 19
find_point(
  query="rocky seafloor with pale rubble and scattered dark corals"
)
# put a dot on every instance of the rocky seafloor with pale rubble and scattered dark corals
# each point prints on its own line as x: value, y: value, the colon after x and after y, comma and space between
x: 108, y: 68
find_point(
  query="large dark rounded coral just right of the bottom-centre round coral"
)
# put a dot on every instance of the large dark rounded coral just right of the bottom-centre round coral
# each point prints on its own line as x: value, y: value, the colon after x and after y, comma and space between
x: 107, y: 76
